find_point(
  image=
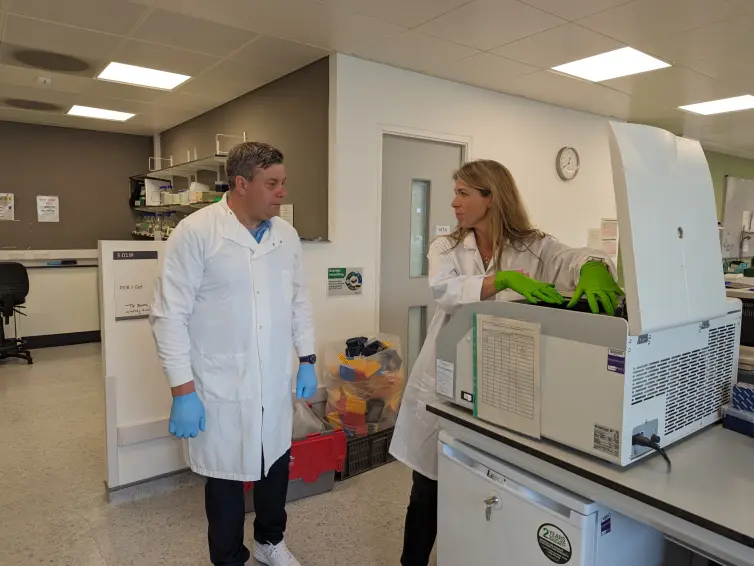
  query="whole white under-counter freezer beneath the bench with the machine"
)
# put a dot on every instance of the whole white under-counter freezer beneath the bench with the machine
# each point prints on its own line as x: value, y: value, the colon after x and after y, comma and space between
x: 492, y: 513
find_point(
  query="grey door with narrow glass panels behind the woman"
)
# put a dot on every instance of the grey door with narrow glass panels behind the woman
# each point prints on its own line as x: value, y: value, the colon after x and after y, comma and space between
x: 417, y: 189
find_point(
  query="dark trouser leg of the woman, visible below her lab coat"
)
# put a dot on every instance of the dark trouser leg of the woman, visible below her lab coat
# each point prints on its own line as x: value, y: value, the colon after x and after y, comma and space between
x: 421, y: 522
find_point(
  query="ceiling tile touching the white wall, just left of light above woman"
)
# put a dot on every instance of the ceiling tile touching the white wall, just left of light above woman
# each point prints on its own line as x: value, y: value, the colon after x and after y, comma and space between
x: 485, y: 70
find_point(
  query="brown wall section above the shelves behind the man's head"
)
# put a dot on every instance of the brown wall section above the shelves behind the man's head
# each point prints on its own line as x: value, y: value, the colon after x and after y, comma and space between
x: 290, y: 113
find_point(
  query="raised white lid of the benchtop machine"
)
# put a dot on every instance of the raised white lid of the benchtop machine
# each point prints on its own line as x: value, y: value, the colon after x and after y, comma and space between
x: 672, y: 265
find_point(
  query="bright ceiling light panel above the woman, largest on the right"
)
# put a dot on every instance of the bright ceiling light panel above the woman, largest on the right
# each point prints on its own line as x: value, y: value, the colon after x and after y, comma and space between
x: 613, y: 64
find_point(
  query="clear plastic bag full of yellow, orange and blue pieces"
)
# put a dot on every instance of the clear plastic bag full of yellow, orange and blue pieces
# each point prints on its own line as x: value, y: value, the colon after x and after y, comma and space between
x: 364, y: 391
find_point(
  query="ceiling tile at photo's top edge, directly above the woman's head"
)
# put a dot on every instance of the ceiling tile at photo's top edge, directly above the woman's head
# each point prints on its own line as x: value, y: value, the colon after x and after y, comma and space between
x: 486, y: 24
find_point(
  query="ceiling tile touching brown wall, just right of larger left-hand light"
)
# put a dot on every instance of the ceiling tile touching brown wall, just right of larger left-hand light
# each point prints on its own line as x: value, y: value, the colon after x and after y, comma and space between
x: 229, y: 79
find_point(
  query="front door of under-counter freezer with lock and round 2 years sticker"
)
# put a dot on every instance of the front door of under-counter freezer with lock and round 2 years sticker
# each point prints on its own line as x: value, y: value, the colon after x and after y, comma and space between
x: 516, y: 532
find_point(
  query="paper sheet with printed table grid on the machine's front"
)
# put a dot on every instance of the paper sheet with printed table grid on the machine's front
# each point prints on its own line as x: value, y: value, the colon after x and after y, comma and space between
x: 508, y: 373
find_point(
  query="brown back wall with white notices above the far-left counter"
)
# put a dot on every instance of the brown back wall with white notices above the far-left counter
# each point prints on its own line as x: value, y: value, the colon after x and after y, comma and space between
x: 88, y: 170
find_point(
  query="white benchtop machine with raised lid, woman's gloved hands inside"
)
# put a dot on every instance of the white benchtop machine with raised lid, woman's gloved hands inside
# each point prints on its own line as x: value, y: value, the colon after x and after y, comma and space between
x: 605, y: 385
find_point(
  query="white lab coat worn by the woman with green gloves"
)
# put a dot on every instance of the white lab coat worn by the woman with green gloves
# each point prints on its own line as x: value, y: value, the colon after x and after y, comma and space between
x: 455, y: 277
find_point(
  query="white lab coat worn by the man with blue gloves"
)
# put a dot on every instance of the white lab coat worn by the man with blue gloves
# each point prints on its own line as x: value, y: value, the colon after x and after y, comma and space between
x: 226, y: 314
